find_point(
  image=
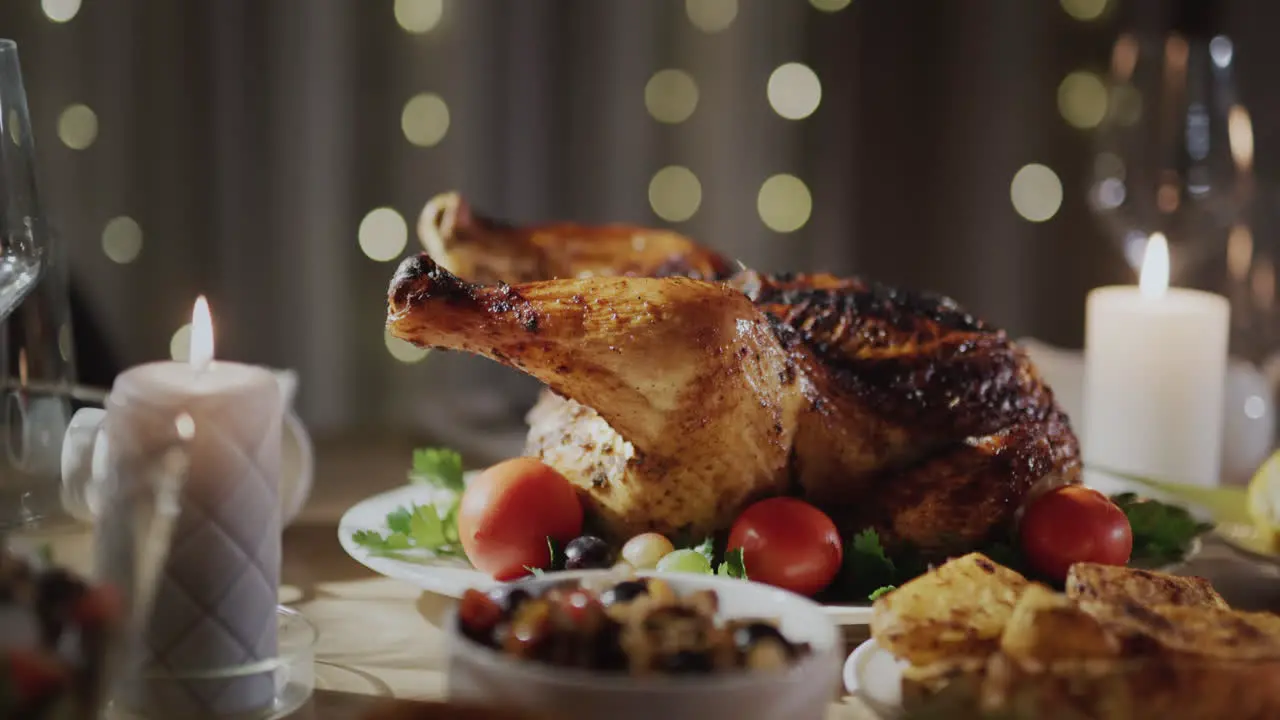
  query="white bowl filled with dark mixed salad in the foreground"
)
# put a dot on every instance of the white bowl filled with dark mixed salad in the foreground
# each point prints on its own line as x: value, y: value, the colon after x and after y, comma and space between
x: 619, y: 646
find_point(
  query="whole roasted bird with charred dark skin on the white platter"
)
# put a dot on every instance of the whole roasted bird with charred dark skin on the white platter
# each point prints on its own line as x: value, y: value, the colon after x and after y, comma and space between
x: 683, y: 388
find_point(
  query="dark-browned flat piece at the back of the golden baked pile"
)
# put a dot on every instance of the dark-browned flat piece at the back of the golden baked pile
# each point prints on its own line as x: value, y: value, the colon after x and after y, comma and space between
x: 1091, y: 584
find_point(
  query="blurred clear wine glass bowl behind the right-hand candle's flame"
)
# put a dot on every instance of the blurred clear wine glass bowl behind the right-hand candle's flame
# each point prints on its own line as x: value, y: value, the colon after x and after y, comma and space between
x: 1174, y: 153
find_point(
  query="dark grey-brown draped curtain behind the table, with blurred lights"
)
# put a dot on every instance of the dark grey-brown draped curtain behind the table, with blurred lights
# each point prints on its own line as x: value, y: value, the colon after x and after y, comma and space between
x: 249, y: 139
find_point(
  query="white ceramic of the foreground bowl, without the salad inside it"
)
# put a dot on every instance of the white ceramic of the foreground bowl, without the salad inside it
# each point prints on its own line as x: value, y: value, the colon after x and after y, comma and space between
x: 802, y: 692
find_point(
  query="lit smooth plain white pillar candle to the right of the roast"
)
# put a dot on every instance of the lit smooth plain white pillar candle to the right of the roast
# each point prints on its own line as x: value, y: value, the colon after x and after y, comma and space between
x: 1154, y: 377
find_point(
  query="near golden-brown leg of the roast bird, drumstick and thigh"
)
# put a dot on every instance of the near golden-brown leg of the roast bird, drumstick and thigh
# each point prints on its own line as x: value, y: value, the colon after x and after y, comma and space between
x: 693, y: 390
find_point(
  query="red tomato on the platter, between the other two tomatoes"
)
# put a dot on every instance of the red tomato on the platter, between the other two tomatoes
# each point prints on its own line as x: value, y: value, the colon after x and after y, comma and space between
x: 788, y: 544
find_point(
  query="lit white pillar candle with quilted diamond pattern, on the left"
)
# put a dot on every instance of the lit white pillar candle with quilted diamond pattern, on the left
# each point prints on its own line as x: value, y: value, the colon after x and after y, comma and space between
x: 217, y: 593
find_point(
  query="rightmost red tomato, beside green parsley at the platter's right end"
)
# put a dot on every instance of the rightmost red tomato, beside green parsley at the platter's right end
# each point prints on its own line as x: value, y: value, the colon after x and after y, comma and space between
x: 1075, y: 525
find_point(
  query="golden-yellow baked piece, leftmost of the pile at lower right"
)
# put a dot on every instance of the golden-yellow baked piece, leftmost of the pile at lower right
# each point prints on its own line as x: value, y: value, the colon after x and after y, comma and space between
x: 954, y: 612
